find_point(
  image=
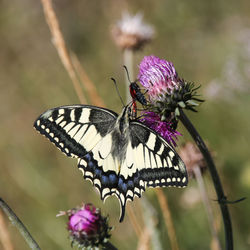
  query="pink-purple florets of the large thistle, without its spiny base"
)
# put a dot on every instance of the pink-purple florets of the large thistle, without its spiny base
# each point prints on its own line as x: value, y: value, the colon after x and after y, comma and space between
x: 158, y: 76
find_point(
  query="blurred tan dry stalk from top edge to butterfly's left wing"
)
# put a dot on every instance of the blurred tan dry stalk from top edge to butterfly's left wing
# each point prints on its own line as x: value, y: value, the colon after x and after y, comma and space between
x: 59, y: 44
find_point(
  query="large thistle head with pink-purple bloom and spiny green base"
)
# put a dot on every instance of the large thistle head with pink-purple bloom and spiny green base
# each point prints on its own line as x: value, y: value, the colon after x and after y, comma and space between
x: 166, y: 91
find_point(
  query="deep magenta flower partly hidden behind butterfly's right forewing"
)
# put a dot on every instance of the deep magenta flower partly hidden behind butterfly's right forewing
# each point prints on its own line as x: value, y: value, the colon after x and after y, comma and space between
x: 164, y: 128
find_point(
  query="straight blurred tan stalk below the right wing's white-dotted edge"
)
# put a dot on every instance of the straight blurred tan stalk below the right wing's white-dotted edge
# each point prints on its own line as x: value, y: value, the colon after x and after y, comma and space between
x: 167, y: 218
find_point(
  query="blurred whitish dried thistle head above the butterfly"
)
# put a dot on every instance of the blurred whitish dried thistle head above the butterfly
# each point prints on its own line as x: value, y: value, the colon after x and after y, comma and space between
x: 131, y: 32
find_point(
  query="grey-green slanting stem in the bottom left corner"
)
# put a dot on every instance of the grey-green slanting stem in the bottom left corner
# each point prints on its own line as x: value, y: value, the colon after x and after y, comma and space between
x: 20, y: 226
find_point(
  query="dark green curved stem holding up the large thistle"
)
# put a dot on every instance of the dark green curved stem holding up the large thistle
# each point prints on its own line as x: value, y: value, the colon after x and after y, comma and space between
x: 215, y: 177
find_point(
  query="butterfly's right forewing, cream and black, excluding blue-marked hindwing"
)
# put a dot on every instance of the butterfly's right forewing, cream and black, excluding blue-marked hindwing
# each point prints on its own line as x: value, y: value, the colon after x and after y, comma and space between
x: 159, y: 165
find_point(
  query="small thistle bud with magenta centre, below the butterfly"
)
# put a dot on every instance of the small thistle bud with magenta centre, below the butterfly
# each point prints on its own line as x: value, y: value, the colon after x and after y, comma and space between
x: 87, y: 227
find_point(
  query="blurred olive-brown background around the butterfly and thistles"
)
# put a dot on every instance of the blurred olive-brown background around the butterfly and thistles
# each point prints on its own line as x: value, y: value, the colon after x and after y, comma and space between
x: 209, y: 44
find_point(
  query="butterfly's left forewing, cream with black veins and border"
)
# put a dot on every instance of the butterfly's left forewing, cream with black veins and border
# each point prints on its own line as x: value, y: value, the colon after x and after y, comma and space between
x: 76, y: 129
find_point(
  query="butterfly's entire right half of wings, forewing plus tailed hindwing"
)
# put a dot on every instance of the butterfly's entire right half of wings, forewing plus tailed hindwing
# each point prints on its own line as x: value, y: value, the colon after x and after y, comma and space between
x: 150, y: 162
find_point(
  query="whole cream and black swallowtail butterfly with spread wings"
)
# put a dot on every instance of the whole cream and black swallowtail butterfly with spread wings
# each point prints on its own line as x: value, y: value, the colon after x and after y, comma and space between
x: 119, y: 155
